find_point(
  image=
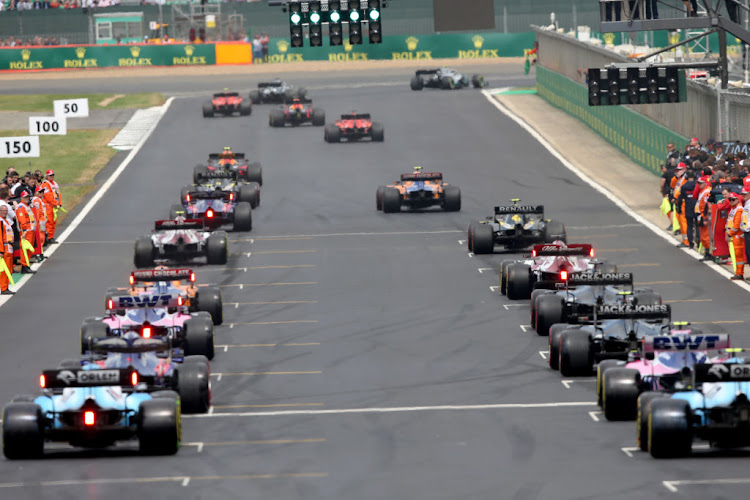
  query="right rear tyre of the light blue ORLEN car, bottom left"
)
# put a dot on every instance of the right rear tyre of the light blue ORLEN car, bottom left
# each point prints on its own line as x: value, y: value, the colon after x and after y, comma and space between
x: 159, y: 427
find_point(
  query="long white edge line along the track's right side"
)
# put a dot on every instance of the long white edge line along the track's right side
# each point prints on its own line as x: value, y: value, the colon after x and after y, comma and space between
x: 488, y: 93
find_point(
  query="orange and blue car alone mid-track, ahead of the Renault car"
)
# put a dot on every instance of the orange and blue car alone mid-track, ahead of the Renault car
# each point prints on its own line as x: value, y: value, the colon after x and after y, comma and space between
x: 418, y: 190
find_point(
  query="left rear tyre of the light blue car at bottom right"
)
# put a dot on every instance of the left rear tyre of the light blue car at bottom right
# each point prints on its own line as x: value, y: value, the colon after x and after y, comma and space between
x: 669, y: 431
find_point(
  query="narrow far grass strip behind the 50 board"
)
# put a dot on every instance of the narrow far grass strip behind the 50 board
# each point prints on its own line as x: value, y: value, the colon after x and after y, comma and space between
x: 43, y: 103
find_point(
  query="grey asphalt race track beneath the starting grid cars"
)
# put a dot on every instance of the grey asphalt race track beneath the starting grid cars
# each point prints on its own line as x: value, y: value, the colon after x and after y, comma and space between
x: 365, y: 355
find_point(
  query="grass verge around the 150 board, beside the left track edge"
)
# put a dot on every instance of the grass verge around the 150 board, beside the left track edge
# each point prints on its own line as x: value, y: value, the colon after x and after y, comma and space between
x: 76, y: 158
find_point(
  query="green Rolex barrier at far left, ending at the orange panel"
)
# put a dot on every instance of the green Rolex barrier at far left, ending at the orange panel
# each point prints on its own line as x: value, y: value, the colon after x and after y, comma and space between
x: 93, y: 56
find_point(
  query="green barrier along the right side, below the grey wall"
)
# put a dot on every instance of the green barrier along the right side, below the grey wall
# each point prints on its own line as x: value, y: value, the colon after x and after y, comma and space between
x: 642, y: 139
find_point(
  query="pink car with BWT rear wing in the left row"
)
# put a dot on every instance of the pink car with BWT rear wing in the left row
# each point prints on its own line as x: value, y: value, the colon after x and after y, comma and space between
x: 158, y: 315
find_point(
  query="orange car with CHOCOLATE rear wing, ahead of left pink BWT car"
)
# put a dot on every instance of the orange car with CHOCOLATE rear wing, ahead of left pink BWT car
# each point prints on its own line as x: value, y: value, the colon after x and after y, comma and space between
x: 177, y: 282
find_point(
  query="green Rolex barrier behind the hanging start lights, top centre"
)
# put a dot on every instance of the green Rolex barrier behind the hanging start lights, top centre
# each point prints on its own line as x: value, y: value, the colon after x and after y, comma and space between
x: 461, y: 46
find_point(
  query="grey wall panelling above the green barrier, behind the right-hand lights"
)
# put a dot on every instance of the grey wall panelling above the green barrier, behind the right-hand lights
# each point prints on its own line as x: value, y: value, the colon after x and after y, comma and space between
x: 698, y: 117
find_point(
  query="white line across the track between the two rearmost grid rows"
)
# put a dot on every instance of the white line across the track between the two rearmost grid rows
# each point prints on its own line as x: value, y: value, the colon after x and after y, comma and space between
x: 402, y: 409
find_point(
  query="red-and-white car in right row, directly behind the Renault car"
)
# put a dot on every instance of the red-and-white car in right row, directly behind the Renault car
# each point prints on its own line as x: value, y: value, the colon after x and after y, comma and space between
x: 548, y: 266
